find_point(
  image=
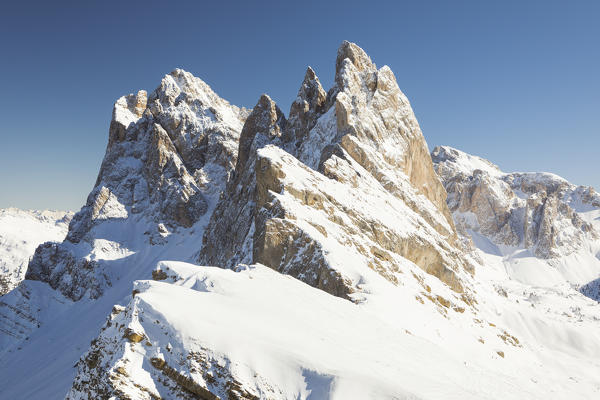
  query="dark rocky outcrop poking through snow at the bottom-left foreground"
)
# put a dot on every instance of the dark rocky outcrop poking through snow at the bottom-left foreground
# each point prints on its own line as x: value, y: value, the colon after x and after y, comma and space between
x: 111, y: 369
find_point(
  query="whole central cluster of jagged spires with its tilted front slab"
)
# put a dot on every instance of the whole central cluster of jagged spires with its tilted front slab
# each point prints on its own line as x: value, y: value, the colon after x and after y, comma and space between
x: 362, y: 138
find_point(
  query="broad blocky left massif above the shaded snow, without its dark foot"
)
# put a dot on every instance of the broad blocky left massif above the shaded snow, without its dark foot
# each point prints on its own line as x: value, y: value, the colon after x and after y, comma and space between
x: 162, y: 154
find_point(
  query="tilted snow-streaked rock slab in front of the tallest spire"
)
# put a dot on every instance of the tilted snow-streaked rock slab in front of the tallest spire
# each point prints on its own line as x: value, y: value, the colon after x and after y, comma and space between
x: 304, y: 216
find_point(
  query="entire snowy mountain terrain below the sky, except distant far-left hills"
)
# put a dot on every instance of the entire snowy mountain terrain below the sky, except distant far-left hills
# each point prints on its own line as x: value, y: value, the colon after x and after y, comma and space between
x: 227, y: 253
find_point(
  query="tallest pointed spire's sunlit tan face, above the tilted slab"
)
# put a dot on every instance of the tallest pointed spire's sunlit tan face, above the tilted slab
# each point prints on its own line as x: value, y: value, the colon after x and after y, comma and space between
x: 377, y: 127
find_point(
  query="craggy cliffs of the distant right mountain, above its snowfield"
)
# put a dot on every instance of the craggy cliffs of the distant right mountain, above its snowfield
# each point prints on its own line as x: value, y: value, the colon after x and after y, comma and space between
x: 528, y: 210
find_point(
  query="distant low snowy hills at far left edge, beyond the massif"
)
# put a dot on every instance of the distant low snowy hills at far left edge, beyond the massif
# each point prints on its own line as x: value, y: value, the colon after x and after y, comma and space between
x: 20, y: 233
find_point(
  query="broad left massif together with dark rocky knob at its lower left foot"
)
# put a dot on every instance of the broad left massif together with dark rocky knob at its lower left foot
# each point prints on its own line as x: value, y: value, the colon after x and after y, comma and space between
x: 166, y: 162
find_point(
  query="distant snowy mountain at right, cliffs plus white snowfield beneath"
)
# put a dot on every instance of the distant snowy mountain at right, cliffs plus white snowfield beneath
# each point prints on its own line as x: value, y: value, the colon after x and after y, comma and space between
x: 545, y: 229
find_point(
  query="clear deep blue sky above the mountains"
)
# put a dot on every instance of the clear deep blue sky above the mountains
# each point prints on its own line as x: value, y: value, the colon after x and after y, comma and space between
x: 517, y: 82
